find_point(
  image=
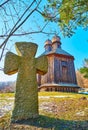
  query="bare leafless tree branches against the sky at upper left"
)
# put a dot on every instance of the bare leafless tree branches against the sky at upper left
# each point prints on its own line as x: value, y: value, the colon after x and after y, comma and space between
x: 14, y: 15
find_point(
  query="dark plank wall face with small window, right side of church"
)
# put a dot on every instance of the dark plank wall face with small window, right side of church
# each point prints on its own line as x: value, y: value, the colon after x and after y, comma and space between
x: 60, y: 66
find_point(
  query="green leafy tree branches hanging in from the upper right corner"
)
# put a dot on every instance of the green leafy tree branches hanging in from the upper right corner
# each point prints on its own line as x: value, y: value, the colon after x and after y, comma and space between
x: 69, y: 14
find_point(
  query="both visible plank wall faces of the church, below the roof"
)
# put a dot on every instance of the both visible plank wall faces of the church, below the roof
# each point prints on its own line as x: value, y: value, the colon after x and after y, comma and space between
x: 60, y: 69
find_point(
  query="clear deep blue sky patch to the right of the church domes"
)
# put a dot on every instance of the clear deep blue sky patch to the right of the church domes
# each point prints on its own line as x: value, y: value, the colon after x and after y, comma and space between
x: 77, y: 45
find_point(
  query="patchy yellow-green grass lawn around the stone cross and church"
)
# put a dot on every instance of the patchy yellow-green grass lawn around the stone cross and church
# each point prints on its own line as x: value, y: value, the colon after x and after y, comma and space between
x: 58, y: 111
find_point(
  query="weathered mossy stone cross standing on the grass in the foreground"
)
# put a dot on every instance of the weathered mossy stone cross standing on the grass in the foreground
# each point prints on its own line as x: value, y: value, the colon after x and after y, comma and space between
x: 25, y: 63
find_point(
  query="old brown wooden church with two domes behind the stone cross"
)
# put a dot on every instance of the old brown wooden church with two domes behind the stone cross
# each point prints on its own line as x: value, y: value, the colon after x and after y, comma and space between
x: 61, y: 71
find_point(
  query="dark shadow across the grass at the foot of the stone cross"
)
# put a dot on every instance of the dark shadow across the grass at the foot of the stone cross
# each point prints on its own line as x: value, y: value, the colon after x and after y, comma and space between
x: 48, y: 123
